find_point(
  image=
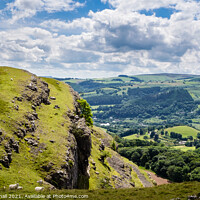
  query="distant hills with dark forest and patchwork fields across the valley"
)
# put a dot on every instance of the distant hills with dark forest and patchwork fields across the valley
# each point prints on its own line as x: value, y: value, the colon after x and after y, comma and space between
x: 142, y: 100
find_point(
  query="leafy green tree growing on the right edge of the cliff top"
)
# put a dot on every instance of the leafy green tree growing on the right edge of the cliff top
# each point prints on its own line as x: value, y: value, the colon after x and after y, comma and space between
x: 86, y: 111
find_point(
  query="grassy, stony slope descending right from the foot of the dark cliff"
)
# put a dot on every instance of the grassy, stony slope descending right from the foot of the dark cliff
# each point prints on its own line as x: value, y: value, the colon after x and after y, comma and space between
x: 106, y: 175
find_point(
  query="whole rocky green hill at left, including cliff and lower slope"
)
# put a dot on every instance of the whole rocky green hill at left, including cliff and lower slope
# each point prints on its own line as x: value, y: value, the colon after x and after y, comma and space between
x: 43, y: 136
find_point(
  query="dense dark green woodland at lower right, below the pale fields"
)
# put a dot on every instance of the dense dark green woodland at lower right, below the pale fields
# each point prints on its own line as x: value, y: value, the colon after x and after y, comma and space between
x: 175, y: 165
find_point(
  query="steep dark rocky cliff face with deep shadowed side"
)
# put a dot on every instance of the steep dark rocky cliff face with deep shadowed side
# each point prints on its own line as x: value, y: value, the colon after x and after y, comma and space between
x: 74, y: 174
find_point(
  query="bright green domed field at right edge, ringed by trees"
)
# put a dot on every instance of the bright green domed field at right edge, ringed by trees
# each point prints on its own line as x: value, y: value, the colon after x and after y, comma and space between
x: 184, y: 130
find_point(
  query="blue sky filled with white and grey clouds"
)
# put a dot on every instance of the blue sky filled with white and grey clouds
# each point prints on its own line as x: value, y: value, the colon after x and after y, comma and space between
x: 100, y: 38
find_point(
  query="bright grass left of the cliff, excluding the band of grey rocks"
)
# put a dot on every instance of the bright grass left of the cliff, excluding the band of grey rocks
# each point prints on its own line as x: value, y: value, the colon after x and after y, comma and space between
x: 26, y: 166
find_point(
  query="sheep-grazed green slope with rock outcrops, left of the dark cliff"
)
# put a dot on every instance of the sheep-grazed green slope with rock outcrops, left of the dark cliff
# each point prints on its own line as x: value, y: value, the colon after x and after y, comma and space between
x: 46, y: 142
